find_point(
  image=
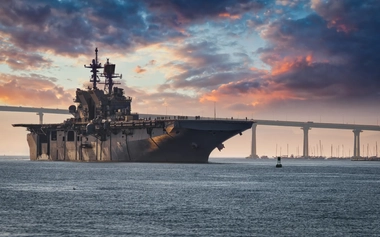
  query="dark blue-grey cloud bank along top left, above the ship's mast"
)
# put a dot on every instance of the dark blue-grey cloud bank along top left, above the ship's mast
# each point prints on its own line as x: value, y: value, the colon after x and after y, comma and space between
x: 74, y: 27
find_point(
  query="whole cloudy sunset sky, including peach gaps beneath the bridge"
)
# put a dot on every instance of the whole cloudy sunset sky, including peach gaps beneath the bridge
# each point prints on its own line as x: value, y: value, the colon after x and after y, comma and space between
x: 280, y: 60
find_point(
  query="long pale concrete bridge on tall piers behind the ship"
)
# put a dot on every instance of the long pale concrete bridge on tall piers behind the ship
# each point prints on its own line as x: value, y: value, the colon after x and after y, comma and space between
x: 305, y: 126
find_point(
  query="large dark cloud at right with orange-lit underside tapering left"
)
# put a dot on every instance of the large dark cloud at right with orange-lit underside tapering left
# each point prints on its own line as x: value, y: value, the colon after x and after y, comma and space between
x: 311, y: 60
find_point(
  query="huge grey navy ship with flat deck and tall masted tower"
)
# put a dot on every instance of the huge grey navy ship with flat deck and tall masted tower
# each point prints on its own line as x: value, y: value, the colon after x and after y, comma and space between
x: 104, y: 129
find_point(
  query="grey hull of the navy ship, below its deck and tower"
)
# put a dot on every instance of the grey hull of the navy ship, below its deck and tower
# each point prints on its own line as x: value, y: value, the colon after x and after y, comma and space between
x: 179, y: 141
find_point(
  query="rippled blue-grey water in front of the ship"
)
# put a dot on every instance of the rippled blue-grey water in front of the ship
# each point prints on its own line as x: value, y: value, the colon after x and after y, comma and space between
x: 228, y: 197
